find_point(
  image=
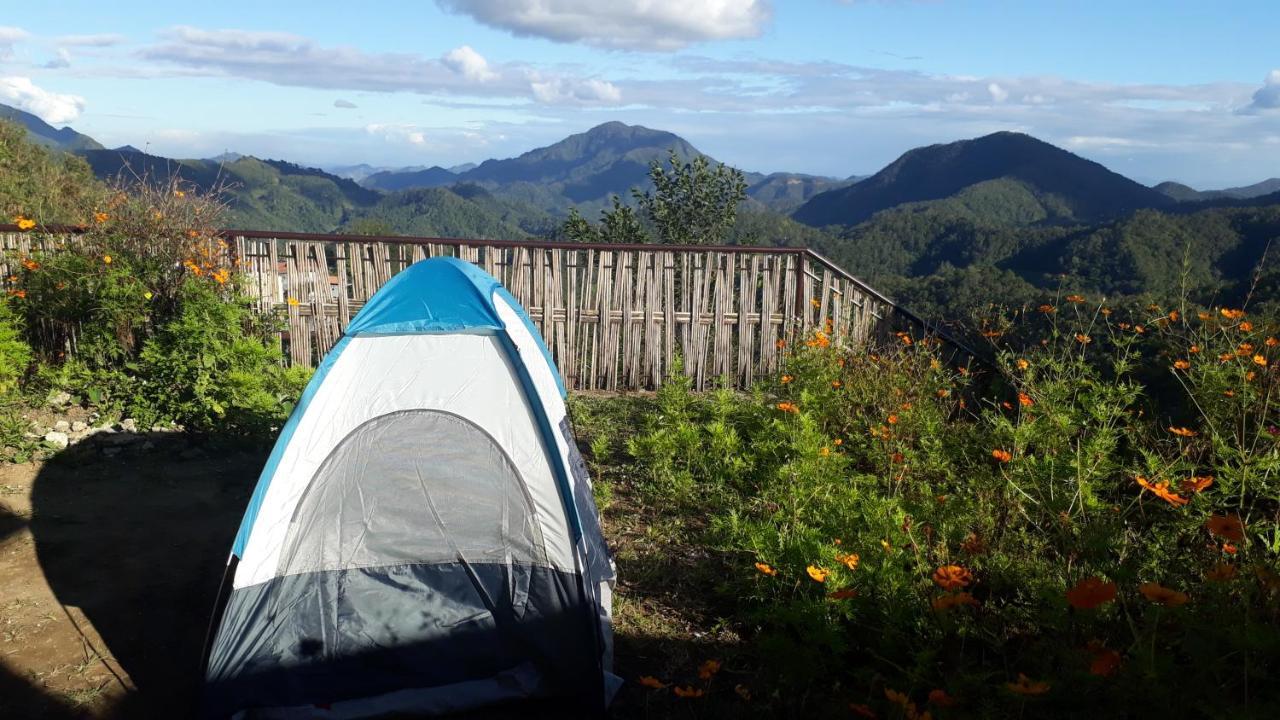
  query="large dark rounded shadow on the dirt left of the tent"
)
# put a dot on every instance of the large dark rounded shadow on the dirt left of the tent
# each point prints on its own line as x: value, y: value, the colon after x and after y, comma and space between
x: 138, y: 540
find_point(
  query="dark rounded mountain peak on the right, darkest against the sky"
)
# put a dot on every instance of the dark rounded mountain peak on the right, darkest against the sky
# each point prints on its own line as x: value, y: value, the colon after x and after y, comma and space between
x: 1075, y: 189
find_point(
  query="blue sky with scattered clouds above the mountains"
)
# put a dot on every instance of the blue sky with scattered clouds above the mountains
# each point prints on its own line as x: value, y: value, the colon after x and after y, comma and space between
x: 1172, y: 90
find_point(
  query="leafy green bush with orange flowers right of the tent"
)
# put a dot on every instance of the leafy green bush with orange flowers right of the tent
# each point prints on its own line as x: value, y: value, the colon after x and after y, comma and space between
x: 1062, y: 536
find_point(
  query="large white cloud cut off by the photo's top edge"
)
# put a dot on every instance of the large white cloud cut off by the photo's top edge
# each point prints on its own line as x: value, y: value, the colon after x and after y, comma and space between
x: 637, y: 25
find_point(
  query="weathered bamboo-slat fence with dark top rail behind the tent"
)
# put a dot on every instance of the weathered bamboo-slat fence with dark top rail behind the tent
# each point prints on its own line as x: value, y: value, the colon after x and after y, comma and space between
x: 615, y: 317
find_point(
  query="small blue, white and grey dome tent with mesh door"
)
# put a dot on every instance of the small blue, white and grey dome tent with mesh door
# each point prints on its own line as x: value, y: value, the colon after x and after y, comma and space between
x: 423, y: 539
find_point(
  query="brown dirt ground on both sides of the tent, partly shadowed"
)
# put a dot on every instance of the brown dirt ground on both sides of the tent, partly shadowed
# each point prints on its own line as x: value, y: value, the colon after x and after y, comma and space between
x: 109, y: 567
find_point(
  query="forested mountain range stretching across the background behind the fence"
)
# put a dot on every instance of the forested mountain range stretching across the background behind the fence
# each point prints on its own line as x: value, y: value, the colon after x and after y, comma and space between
x: 1003, y: 217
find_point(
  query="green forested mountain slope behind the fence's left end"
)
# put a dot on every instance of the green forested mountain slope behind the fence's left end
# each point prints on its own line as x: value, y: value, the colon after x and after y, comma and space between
x: 260, y: 194
